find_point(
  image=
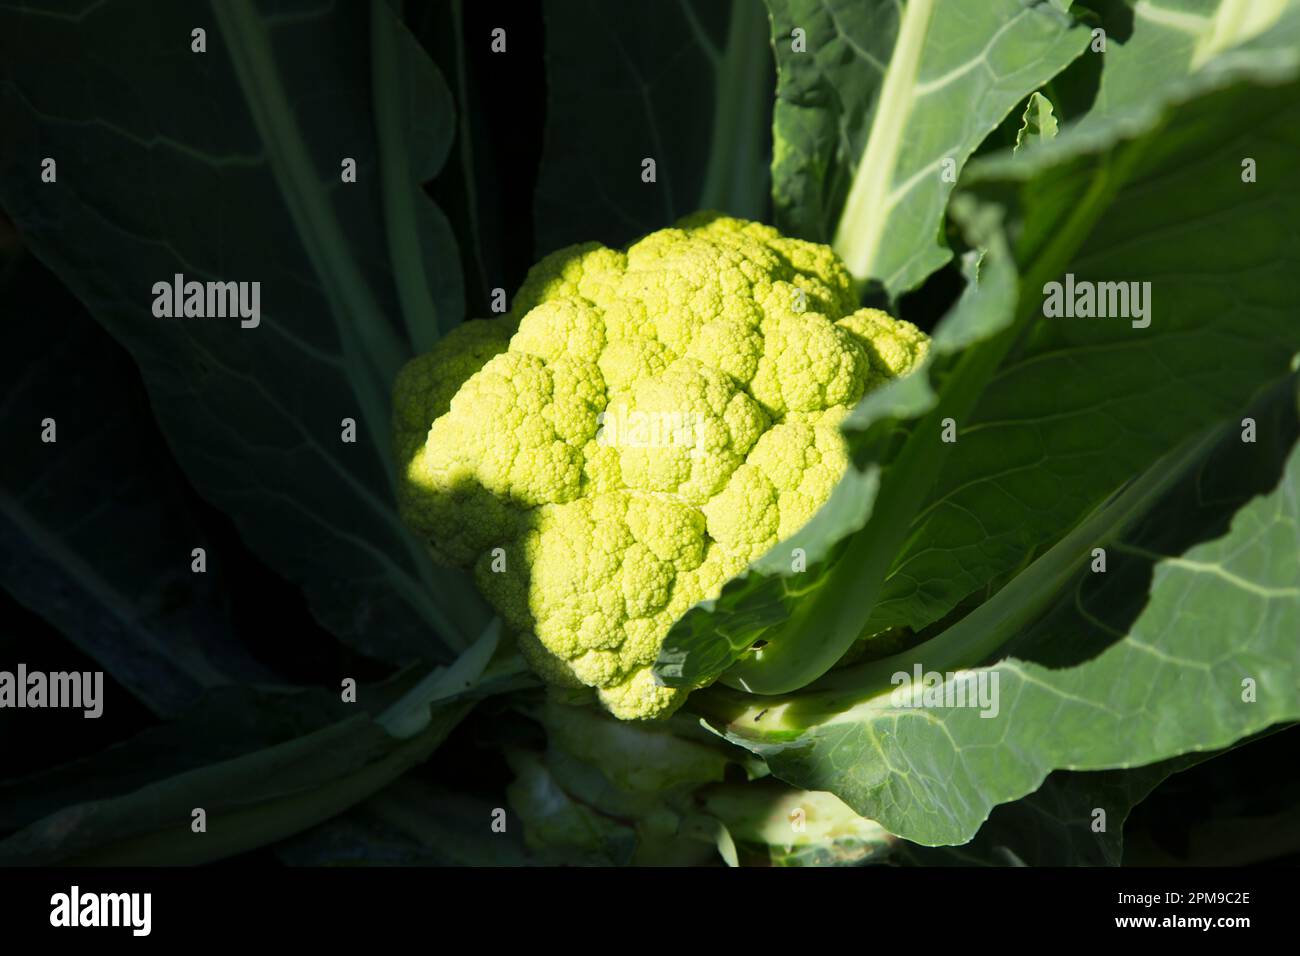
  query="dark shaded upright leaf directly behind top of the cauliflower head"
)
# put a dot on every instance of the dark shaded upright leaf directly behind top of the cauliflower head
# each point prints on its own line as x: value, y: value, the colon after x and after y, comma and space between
x: 684, y: 84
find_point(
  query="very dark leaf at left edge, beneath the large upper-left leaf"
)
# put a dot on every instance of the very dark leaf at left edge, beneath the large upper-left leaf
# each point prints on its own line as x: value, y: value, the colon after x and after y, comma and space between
x: 72, y: 511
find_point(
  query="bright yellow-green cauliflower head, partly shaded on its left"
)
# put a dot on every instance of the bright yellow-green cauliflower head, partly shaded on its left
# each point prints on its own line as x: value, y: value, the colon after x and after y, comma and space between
x: 635, y: 432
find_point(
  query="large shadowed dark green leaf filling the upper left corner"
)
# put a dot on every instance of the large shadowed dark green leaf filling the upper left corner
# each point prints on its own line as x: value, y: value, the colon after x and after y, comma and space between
x: 226, y: 166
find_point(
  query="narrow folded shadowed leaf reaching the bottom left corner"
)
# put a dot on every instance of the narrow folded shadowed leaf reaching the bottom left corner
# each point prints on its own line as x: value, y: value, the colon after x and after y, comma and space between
x: 262, y: 765
